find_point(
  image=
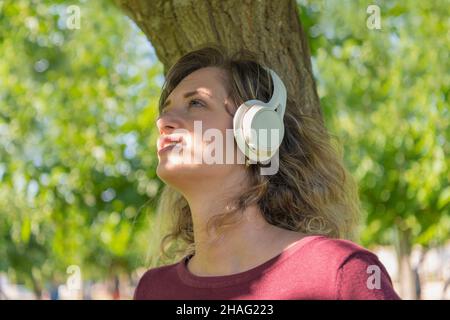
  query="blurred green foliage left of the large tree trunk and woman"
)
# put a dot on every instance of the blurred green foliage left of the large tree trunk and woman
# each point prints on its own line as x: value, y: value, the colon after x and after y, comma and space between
x: 77, y: 164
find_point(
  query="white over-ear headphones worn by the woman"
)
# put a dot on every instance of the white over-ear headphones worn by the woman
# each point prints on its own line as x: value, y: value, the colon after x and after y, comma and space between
x: 254, y: 115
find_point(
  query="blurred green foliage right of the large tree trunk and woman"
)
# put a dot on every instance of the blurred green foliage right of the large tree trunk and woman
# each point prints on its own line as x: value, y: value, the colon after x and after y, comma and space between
x: 385, y: 94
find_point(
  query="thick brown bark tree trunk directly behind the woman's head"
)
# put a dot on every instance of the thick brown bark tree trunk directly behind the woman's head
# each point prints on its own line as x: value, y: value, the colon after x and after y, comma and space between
x: 272, y: 29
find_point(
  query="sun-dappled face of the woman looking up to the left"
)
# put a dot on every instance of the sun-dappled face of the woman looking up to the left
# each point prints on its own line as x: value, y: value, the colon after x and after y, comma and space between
x: 194, y: 120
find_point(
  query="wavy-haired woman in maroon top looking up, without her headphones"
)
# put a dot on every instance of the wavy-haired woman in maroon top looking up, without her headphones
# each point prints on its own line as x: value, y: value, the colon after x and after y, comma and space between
x: 245, y: 235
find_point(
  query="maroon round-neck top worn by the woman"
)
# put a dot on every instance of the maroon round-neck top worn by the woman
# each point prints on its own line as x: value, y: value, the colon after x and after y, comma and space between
x: 314, y: 267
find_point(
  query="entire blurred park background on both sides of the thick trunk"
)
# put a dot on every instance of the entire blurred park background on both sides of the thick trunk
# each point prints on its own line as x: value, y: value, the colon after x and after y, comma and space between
x: 78, y: 188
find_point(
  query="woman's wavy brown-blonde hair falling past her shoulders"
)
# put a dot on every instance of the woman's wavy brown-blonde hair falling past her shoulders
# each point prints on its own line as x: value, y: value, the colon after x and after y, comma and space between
x: 312, y: 192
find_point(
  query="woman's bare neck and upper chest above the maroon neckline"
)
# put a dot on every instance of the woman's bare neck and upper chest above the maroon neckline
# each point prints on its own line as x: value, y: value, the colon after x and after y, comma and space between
x: 245, y: 244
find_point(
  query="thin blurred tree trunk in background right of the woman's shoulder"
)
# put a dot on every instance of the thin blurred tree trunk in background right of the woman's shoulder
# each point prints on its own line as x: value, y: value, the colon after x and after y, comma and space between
x: 405, y: 271
